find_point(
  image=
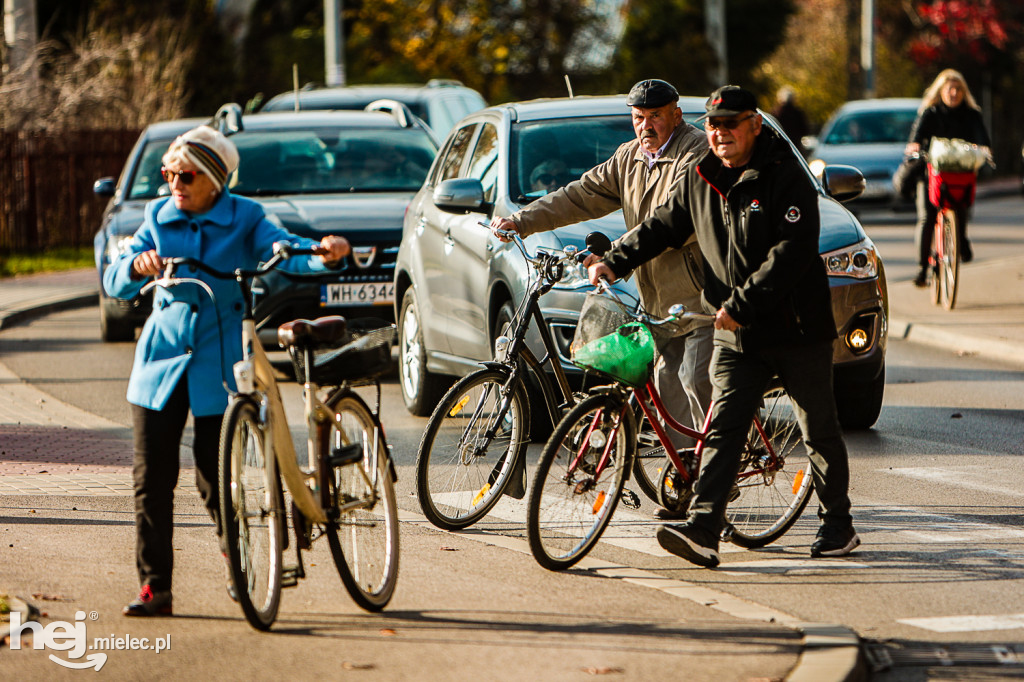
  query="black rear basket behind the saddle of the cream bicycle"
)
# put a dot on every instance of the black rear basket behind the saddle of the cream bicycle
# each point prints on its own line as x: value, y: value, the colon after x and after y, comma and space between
x: 366, y: 354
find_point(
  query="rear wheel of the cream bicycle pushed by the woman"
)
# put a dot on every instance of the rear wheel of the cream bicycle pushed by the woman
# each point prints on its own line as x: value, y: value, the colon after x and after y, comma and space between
x: 364, y: 541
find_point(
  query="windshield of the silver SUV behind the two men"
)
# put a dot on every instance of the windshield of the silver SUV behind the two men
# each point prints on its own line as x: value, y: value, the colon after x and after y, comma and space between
x: 546, y: 155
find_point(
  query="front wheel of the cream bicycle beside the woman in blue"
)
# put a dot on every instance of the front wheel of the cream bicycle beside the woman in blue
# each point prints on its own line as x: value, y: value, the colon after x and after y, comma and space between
x: 251, y: 513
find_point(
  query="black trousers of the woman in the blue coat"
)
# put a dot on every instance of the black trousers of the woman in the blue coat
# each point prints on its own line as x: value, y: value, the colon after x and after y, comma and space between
x: 158, y: 442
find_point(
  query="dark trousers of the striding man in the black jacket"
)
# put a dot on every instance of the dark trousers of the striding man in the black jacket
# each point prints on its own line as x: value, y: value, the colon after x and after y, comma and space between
x: 740, y: 380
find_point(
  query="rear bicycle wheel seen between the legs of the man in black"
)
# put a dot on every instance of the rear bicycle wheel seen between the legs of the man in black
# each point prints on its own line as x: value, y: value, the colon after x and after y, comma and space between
x: 769, y: 498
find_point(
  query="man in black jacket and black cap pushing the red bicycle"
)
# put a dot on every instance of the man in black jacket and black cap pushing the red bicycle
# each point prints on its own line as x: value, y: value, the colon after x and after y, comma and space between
x: 755, y: 214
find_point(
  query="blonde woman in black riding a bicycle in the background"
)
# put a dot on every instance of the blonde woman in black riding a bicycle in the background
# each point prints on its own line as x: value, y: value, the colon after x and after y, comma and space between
x: 948, y: 110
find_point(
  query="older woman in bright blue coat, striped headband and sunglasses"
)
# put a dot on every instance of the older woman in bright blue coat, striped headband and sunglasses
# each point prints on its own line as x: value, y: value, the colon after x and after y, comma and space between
x: 184, y: 354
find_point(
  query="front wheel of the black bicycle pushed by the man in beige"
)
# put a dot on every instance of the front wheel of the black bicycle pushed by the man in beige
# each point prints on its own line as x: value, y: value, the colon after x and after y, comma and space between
x: 459, y: 477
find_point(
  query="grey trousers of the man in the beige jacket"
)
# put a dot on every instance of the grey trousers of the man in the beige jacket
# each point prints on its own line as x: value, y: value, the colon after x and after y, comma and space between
x: 684, y: 382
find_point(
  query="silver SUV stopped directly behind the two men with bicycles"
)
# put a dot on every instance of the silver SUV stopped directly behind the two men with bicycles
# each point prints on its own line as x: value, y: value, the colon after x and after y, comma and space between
x: 456, y: 284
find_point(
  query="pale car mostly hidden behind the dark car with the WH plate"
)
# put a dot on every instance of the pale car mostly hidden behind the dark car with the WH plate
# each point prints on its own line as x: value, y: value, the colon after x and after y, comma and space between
x: 441, y: 103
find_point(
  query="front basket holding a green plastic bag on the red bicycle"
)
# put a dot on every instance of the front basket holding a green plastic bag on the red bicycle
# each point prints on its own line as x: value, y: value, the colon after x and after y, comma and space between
x: 610, y: 342
